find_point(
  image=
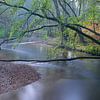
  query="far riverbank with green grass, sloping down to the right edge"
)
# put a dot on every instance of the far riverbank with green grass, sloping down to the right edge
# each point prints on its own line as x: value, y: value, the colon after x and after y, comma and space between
x: 92, y: 49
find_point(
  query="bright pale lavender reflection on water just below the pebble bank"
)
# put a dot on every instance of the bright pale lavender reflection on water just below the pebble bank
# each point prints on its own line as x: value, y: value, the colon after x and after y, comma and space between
x: 31, y: 92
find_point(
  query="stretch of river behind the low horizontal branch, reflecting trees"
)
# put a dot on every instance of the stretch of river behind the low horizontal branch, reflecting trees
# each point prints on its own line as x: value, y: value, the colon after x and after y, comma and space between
x: 34, y: 51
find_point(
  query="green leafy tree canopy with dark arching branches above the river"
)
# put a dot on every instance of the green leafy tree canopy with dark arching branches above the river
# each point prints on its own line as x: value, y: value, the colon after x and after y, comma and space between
x: 32, y: 15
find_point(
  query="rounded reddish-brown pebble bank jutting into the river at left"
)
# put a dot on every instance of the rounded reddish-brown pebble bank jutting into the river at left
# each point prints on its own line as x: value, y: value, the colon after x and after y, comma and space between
x: 13, y: 76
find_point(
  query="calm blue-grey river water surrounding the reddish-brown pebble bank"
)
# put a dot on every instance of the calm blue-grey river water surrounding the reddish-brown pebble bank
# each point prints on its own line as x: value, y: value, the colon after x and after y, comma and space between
x: 74, y: 80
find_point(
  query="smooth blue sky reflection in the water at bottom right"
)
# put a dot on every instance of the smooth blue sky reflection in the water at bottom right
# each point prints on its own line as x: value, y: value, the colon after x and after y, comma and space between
x: 73, y: 90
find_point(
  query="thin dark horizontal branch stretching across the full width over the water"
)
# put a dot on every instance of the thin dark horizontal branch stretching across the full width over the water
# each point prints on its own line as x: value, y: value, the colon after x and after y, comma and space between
x: 53, y: 60
